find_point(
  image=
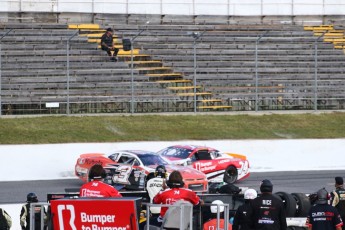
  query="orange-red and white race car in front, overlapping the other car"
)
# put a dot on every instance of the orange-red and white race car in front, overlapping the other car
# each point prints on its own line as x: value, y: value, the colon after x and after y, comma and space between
x: 130, y: 169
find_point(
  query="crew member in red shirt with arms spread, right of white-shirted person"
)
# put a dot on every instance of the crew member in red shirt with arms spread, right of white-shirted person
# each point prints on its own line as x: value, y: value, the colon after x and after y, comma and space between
x: 174, y: 193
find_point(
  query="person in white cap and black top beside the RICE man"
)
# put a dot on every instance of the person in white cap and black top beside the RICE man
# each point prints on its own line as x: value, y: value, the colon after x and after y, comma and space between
x: 243, y: 215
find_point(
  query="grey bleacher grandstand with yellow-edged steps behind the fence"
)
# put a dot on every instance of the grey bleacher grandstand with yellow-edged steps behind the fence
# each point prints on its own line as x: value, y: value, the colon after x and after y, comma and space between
x: 241, y: 64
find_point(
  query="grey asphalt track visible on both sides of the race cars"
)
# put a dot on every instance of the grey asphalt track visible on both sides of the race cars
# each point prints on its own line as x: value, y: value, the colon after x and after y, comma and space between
x: 291, y: 182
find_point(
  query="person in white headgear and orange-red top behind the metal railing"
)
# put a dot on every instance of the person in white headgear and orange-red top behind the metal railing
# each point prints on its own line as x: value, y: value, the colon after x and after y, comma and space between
x: 213, y: 222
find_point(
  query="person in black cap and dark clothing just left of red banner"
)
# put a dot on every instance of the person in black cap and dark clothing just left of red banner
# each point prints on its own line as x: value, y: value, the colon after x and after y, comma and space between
x: 26, y: 210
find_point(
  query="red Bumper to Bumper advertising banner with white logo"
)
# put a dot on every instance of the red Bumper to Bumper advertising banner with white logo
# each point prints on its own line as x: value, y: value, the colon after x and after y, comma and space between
x: 94, y: 214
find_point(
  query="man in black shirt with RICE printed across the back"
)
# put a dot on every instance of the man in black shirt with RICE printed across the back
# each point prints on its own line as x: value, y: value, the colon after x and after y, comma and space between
x: 268, y: 210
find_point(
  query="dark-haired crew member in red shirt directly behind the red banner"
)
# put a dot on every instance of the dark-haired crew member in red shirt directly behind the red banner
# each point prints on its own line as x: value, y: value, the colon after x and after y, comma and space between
x: 96, y: 187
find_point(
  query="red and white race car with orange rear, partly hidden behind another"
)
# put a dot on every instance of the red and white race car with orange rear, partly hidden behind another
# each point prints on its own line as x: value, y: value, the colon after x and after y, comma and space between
x: 218, y: 167
